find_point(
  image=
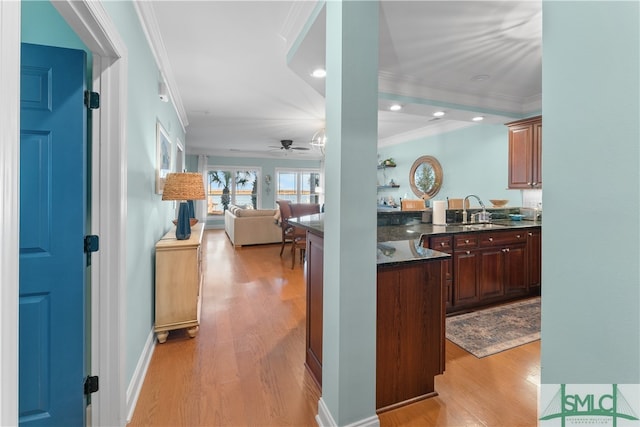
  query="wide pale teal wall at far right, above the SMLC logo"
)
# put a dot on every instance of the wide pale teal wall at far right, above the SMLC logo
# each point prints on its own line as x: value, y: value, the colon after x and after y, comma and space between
x: 591, y: 164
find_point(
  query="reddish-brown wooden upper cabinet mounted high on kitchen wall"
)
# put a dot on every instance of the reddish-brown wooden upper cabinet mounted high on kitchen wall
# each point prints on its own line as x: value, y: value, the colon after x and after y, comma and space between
x: 525, y: 153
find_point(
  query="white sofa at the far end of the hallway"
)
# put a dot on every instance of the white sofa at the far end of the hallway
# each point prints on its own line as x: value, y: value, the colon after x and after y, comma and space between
x: 252, y: 226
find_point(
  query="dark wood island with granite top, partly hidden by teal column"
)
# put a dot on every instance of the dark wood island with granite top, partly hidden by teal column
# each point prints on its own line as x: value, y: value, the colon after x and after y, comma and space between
x: 410, y: 316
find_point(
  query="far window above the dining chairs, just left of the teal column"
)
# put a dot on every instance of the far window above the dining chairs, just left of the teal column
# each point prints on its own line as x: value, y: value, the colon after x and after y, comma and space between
x: 298, y: 186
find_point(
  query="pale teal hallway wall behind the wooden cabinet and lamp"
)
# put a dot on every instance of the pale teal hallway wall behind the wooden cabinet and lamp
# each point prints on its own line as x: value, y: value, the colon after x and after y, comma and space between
x: 148, y: 217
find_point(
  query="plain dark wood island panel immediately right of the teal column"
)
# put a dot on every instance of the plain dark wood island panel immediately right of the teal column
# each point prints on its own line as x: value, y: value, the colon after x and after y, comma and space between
x: 410, y: 333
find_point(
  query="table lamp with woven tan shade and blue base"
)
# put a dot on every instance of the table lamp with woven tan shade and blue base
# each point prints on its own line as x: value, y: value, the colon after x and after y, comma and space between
x: 183, y: 186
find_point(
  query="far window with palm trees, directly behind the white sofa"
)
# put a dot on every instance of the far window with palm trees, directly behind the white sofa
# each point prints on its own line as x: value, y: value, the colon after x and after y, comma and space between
x: 238, y: 186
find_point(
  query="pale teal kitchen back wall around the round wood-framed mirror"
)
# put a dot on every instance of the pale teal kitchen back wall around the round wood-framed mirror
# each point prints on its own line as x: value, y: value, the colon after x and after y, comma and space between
x: 474, y: 160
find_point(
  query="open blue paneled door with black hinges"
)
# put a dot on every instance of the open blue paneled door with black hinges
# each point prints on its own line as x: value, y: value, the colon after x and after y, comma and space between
x: 52, y: 228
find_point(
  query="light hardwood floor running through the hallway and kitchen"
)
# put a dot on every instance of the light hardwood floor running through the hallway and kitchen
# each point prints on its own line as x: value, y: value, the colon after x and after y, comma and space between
x: 246, y: 365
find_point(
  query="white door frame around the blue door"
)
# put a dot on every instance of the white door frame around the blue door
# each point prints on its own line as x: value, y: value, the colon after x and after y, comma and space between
x: 108, y: 207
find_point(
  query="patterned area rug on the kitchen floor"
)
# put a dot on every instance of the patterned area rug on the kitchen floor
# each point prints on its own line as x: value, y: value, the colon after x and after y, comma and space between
x: 490, y: 331
